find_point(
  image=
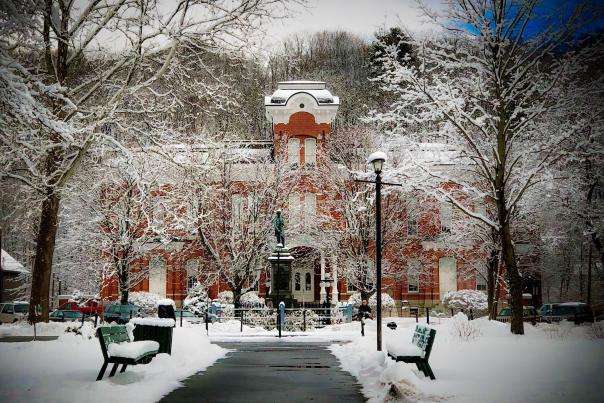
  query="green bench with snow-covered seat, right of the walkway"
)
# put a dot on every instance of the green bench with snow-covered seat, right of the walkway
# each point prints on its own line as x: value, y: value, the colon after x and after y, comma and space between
x: 418, y: 352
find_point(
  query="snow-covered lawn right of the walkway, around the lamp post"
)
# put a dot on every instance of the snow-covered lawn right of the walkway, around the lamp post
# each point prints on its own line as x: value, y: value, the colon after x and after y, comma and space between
x: 550, y: 363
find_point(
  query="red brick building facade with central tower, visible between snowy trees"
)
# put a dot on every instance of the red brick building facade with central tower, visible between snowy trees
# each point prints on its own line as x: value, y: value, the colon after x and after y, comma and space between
x: 304, y: 119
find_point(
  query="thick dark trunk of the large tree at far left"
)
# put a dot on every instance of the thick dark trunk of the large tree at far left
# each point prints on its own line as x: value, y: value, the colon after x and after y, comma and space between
x: 45, y: 246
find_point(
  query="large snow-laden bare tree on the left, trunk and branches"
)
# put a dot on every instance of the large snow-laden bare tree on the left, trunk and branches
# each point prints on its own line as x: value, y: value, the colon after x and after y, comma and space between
x: 62, y: 86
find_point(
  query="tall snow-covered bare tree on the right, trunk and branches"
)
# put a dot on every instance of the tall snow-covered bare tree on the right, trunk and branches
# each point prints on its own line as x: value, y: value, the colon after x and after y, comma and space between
x: 490, y: 89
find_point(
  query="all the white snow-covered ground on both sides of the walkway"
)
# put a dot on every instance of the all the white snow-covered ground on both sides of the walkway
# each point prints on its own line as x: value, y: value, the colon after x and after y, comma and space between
x: 551, y: 363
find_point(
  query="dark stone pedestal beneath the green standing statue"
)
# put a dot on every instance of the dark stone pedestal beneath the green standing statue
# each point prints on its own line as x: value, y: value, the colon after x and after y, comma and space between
x: 281, y: 271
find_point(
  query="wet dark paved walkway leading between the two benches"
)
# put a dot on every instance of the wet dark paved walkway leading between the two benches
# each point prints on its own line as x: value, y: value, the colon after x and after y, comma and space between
x: 271, y: 372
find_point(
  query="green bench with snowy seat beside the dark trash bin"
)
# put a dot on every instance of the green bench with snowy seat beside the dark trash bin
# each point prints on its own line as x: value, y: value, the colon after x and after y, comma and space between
x: 118, y: 349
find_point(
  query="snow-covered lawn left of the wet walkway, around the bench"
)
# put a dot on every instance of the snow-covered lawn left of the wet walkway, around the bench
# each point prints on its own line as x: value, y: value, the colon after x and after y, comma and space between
x: 65, y: 370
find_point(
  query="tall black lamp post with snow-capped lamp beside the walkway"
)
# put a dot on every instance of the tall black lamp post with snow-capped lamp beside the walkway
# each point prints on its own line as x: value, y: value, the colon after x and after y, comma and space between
x: 377, y: 159
